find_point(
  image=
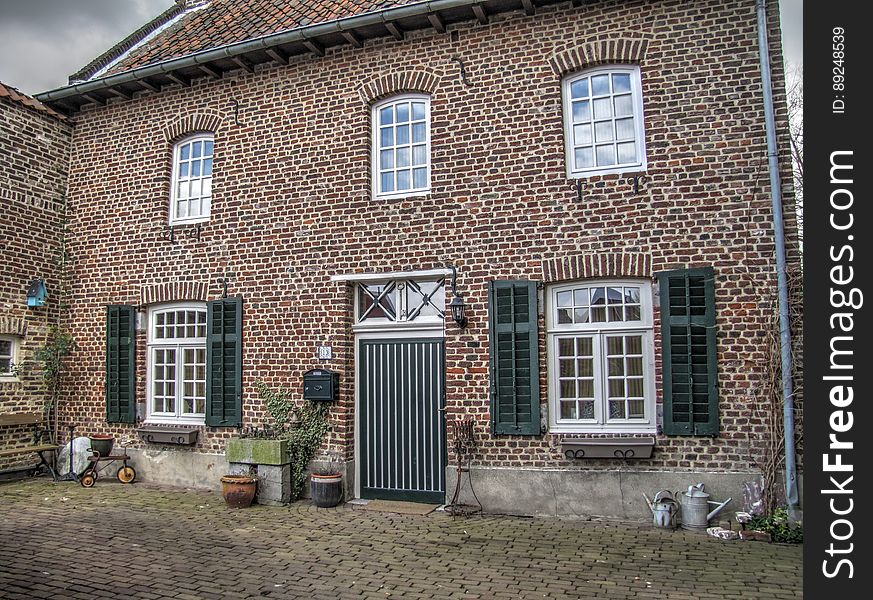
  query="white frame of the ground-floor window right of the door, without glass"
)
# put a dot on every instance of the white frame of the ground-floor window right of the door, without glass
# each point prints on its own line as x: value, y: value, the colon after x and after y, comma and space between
x: 598, y: 331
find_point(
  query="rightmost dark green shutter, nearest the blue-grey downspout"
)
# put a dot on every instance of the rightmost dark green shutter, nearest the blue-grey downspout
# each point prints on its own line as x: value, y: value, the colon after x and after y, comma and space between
x: 689, y: 351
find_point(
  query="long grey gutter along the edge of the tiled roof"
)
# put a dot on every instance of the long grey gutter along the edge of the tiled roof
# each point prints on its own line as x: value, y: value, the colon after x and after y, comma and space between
x: 299, y: 34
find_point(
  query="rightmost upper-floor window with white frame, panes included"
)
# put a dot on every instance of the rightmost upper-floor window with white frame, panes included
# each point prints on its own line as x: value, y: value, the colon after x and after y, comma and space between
x: 603, y: 121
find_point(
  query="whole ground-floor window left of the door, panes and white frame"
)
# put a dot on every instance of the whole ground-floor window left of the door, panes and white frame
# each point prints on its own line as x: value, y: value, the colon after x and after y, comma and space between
x: 177, y: 363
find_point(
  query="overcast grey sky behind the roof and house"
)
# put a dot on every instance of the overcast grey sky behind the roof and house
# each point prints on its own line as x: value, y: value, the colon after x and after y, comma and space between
x: 44, y: 41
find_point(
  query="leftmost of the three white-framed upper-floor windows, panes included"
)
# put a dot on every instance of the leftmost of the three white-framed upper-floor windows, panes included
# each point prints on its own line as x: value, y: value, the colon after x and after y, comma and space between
x: 192, y: 179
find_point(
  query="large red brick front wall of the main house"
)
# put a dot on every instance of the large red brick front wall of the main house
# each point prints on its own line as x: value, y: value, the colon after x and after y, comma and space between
x: 292, y: 203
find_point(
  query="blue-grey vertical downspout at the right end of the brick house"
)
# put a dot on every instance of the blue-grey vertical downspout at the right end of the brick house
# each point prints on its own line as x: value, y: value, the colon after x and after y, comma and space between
x: 781, y: 266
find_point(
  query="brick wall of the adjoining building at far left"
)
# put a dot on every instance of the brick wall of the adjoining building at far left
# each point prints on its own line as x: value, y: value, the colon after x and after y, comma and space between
x: 34, y: 147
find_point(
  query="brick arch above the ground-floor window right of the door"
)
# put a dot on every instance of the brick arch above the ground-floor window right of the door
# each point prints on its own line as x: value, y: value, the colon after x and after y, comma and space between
x: 584, y: 266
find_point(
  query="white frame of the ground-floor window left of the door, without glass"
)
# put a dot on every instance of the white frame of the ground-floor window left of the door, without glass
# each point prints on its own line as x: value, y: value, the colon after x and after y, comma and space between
x: 179, y: 345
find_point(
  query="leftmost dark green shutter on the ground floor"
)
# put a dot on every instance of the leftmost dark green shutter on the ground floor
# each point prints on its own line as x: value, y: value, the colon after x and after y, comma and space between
x: 120, y: 364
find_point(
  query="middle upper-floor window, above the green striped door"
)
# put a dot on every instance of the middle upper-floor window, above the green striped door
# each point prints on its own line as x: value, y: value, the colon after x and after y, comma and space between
x: 401, y: 146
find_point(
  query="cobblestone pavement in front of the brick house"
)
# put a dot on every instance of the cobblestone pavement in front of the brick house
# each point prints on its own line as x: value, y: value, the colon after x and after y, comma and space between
x: 59, y: 540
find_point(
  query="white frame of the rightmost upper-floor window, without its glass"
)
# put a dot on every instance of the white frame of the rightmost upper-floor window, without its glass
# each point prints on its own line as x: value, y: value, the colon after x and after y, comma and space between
x: 638, y: 166
